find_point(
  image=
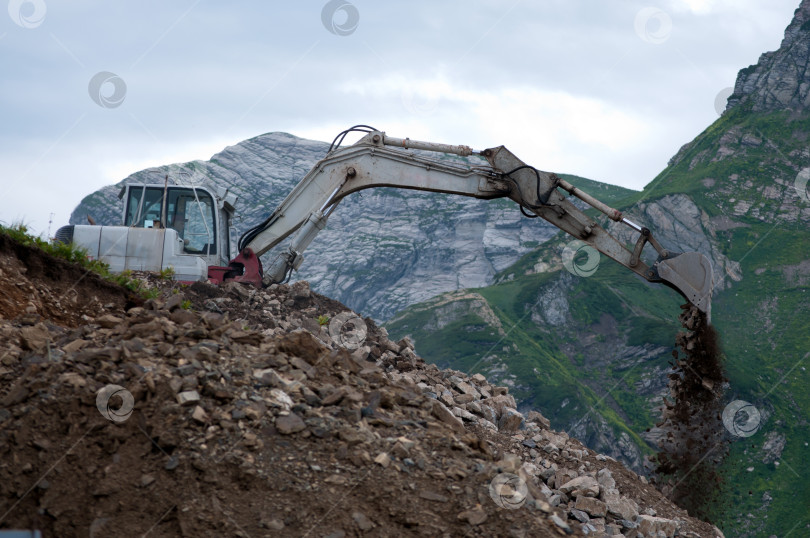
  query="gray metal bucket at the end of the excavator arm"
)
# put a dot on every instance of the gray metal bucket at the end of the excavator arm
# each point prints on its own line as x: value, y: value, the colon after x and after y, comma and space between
x: 691, y: 274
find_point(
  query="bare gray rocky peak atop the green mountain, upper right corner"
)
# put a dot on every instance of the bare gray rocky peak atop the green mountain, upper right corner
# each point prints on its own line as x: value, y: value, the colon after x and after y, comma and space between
x: 780, y: 80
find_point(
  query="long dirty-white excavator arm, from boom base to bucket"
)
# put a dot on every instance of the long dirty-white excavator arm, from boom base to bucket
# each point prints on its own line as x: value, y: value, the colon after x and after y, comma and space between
x: 378, y: 160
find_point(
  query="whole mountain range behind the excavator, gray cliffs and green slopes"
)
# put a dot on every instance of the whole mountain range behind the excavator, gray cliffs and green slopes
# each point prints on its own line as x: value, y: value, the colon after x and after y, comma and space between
x: 481, y: 289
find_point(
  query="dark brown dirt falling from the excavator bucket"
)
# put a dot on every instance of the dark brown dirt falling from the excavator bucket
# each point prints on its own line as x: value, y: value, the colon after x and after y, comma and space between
x: 694, y: 442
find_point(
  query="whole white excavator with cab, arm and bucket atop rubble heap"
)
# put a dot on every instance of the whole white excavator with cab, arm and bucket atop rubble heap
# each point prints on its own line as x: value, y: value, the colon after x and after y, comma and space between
x: 189, y: 228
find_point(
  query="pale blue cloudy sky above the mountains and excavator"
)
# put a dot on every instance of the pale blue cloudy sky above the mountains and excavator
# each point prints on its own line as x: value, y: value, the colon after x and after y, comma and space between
x: 92, y: 91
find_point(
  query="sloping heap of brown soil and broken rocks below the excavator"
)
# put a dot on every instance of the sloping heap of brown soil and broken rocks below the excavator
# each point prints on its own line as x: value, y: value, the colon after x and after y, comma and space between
x: 233, y: 411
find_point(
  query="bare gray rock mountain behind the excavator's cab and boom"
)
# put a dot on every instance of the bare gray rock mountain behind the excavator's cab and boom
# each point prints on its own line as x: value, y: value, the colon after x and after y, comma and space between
x: 382, y: 250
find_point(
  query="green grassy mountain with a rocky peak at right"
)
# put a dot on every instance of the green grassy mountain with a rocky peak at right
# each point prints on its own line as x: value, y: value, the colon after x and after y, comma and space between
x: 593, y: 352
